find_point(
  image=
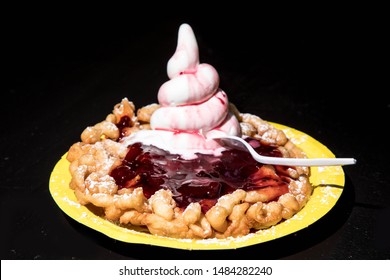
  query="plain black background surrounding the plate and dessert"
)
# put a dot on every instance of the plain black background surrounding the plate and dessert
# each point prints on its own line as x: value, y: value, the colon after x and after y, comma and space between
x: 62, y: 73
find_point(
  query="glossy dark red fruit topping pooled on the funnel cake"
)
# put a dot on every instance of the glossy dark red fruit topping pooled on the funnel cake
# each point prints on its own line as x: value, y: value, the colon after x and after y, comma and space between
x: 203, y: 179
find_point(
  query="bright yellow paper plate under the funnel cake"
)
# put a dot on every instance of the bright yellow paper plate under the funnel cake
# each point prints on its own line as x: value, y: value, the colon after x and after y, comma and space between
x: 328, y: 182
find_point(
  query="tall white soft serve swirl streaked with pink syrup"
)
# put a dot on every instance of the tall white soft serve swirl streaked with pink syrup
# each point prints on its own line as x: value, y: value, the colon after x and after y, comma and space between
x: 193, y: 107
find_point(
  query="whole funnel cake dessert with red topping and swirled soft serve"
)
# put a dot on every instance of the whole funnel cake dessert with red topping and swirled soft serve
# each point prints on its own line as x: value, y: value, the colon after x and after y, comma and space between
x: 157, y: 168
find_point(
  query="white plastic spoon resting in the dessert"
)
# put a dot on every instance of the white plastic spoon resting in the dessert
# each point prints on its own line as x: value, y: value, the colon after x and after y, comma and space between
x: 234, y: 140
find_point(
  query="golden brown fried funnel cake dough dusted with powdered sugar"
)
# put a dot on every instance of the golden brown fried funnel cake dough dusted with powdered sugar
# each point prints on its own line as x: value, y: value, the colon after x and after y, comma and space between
x: 235, y: 214
